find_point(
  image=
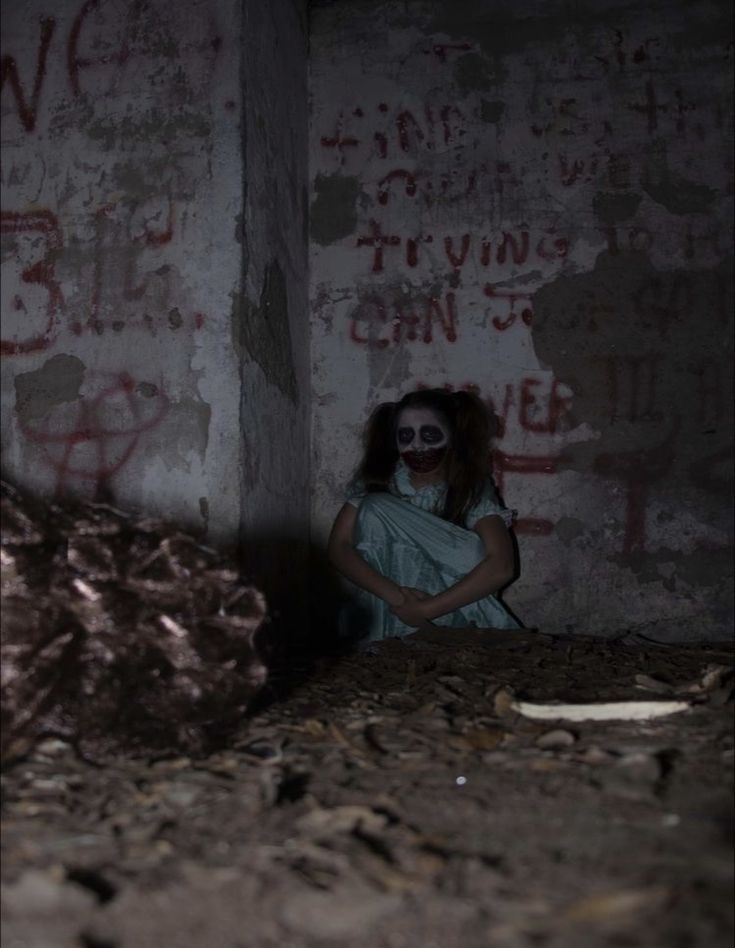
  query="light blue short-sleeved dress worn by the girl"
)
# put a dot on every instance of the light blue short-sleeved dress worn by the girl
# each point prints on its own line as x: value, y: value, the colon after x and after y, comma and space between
x: 400, y: 535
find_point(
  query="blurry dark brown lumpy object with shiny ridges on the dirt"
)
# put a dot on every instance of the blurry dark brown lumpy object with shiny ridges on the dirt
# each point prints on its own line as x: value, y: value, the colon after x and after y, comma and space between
x: 120, y: 635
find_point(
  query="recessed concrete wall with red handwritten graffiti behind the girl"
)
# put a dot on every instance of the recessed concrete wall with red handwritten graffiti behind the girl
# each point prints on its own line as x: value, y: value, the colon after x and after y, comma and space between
x: 536, y: 202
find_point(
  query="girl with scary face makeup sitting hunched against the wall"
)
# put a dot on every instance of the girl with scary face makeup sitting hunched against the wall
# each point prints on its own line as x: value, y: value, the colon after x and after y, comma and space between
x: 422, y: 534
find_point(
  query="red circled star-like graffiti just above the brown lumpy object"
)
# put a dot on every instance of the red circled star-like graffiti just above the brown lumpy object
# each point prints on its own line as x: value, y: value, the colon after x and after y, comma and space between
x: 89, y: 440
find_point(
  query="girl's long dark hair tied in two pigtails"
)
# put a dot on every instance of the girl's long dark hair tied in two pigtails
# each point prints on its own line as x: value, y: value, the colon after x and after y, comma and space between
x: 468, y: 456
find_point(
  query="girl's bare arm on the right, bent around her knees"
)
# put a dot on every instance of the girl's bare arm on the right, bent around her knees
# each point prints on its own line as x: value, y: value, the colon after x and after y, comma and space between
x: 491, y: 574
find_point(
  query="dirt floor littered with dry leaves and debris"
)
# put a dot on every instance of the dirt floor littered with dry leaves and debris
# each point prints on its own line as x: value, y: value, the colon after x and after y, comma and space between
x: 396, y: 798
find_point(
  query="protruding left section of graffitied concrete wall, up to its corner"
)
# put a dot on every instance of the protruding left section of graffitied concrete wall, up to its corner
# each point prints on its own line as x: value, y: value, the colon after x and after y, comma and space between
x: 154, y: 297
